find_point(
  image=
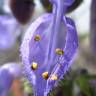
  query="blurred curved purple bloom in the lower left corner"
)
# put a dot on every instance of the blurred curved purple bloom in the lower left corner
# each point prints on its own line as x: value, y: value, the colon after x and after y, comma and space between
x: 8, y: 72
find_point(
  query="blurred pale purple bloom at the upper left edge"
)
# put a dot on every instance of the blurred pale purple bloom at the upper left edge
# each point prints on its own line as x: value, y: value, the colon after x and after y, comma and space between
x: 9, y: 31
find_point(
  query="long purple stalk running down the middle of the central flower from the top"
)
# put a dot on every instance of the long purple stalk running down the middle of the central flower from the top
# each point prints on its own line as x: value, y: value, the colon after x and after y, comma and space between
x: 56, y: 23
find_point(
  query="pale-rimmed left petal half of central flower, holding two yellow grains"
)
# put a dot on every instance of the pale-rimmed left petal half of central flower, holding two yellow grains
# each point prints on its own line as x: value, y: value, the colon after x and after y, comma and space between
x: 30, y: 52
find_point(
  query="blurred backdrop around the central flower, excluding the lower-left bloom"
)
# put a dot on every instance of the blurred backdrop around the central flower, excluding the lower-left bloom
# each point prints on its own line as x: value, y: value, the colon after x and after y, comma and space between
x: 81, y: 78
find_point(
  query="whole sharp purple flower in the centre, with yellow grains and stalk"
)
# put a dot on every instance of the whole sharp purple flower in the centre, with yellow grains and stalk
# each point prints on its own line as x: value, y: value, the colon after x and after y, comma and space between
x: 48, y: 48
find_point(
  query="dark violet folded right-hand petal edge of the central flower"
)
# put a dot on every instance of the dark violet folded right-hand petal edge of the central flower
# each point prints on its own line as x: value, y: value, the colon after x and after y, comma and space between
x: 63, y: 62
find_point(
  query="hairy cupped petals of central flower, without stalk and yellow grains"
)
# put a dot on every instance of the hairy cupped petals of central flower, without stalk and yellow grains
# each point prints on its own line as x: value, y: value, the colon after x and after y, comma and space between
x: 32, y: 51
